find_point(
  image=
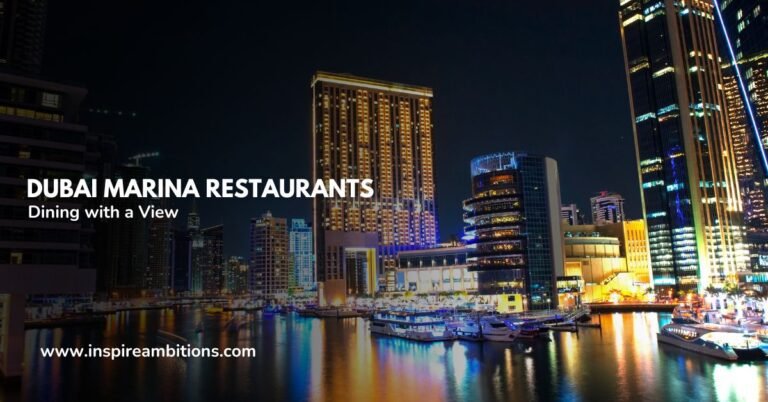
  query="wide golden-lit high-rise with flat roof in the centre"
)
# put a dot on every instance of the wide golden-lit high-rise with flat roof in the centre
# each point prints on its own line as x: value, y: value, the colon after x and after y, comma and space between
x: 370, y: 129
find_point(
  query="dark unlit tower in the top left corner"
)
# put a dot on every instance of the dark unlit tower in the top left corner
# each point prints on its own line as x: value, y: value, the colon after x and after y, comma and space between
x: 22, y: 33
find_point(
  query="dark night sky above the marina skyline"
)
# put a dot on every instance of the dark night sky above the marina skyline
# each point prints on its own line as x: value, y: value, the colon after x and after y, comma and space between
x: 221, y: 89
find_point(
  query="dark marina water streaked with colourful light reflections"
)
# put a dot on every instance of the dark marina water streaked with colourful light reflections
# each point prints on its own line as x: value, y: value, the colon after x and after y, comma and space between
x: 307, y: 359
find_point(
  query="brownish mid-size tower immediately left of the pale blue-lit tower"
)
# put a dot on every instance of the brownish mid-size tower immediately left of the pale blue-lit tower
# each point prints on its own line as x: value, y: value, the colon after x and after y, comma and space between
x: 270, y: 261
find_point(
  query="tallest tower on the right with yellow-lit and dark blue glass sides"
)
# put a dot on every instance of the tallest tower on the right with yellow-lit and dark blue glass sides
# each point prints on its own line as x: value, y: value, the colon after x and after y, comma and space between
x: 689, y: 186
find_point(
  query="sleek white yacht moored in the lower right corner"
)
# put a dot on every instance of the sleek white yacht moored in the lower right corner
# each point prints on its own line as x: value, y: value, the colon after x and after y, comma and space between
x: 715, y: 340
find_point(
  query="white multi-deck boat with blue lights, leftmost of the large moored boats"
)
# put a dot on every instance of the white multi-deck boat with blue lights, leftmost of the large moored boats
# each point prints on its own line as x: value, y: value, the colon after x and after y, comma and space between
x: 417, y: 326
